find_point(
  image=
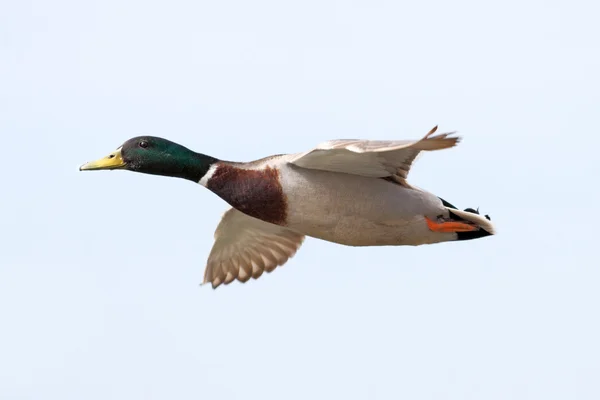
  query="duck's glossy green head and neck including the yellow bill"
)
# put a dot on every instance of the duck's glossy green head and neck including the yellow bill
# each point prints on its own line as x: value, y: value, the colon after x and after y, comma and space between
x: 156, y: 156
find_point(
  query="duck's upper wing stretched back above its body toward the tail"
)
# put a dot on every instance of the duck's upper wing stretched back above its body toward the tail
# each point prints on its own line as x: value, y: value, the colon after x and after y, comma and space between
x: 372, y: 158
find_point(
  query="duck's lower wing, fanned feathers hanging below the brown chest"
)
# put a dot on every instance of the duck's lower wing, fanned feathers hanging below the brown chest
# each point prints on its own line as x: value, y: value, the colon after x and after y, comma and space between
x: 245, y: 247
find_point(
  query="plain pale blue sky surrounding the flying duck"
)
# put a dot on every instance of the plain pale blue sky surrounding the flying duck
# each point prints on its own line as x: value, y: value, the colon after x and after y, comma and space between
x: 100, y: 272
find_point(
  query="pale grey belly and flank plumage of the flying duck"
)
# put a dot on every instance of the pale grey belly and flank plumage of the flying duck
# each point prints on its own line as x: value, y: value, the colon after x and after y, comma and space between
x: 356, y: 210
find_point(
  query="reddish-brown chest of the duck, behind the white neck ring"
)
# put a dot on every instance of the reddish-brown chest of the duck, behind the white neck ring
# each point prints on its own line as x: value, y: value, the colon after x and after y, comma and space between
x: 257, y: 193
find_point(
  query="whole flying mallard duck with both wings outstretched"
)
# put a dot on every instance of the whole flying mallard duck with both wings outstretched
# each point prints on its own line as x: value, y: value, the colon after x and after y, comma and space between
x: 351, y: 192
